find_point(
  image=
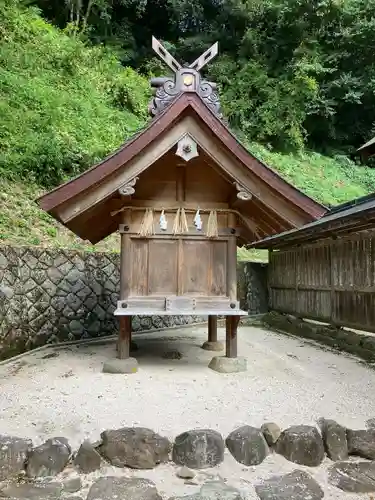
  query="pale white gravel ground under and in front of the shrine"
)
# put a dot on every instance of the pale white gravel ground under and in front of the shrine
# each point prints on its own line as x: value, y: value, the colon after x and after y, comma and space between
x: 289, y: 381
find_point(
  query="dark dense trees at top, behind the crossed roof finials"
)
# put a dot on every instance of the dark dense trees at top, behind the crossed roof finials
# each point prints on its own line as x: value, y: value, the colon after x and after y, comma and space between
x: 292, y: 72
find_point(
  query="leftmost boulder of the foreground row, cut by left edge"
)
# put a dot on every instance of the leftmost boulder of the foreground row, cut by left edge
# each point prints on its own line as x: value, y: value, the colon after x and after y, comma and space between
x: 13, y: 454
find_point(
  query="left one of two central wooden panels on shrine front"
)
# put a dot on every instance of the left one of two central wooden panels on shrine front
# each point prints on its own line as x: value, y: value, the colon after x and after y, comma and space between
x: 162, y: 267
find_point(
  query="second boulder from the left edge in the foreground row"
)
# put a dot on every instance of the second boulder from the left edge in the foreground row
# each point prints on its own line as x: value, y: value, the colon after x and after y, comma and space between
x: 48, y: 459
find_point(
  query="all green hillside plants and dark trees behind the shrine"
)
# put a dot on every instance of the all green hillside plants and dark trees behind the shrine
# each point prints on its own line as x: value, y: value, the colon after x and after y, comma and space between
x: 67, y: 100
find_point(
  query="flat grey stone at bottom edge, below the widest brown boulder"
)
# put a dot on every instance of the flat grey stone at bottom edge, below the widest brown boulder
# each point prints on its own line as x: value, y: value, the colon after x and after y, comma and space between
x: 116, y: 488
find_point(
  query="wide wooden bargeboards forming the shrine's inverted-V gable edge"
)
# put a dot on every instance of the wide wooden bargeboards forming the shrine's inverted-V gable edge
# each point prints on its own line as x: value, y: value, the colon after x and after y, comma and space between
x: 189, y: 114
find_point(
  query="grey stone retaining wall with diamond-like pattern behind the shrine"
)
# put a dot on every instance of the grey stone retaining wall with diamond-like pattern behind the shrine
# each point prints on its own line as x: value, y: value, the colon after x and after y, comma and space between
x: 53, y: 295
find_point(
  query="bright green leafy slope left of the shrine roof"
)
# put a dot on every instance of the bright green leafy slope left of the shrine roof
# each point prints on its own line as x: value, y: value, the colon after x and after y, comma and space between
x: 62, y: 105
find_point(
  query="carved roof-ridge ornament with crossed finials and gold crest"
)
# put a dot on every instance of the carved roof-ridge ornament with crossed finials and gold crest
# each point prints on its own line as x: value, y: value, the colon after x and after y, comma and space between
x: 185, y: 79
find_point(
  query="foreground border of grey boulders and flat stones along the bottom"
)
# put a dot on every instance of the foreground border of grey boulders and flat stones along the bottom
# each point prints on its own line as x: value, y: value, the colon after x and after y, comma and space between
x: 28, y: 472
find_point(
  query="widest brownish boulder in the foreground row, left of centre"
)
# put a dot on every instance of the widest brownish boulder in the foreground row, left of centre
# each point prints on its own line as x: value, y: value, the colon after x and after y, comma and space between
x: 134, y: 447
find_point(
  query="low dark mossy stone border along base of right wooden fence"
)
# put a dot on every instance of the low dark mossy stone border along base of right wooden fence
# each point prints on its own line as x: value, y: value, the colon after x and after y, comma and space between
x: 359, y: 344
